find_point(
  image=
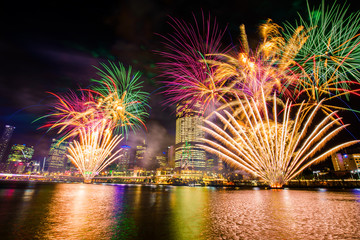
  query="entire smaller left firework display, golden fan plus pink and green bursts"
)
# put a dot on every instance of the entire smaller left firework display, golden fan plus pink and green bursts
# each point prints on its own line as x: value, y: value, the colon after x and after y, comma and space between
x: 95, y: 114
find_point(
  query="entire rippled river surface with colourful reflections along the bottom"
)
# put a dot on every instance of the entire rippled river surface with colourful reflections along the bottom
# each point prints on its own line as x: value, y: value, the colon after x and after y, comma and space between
x: 99, y: 211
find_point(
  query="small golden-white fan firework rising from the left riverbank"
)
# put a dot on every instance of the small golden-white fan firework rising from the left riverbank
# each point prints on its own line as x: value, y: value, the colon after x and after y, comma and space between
x: 93, y: 152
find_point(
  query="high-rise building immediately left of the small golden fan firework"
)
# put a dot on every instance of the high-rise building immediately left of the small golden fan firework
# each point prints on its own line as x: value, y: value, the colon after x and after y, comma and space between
x: 57, y: 159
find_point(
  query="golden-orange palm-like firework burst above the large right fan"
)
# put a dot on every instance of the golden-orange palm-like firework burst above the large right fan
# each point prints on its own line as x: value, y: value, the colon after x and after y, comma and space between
x: 267, y: 69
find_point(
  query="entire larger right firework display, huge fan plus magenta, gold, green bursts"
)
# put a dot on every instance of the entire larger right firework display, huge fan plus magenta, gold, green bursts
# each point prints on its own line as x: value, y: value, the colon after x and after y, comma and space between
x: 309, y: 62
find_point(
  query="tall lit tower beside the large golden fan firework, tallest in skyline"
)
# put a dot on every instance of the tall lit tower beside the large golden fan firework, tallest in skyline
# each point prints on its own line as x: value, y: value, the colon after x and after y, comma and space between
x: 188, y: 134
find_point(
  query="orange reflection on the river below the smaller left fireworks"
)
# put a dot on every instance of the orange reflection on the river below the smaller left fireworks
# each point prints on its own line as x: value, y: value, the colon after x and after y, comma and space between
x: 79, y: 211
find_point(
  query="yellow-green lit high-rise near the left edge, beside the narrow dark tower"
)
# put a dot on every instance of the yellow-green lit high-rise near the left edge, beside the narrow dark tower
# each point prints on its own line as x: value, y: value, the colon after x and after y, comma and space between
x: 19, y: 157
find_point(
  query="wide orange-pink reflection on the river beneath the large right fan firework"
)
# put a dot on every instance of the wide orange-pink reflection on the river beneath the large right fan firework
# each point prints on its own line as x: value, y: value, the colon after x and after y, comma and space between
x: 285, y: 214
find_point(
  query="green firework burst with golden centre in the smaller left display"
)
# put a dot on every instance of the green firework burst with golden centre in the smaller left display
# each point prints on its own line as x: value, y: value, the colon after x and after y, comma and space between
x: 120, y: 98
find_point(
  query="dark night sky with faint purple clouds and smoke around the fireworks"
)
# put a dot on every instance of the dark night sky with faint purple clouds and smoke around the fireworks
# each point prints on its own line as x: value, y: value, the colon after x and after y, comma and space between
x: 53, y: 46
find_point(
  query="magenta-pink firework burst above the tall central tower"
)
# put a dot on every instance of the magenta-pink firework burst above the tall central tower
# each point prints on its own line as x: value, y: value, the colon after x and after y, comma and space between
x: 190, y: 78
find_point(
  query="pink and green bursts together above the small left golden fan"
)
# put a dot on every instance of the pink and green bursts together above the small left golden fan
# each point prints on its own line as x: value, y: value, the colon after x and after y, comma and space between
x: 117, y: 97
